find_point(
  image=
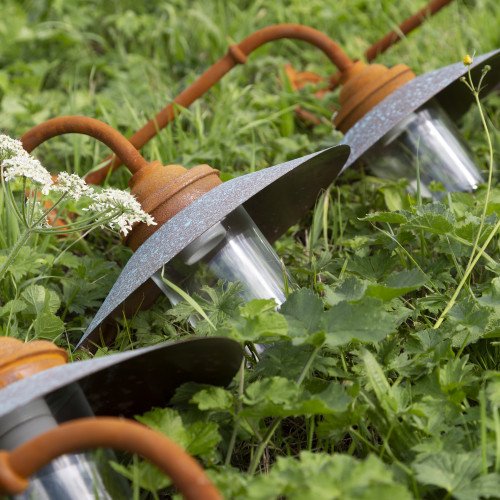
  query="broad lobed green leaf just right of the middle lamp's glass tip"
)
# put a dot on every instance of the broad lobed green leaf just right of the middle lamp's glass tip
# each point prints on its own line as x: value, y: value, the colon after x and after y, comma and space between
x: 365, y: 321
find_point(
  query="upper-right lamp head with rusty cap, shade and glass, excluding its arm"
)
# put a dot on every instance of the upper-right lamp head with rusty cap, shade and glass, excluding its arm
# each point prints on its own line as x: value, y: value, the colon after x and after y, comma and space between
x: 409, y: 121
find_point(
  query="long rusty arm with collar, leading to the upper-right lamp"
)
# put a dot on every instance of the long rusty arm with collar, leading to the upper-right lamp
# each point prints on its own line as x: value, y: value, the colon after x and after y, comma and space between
x: 237, y: 54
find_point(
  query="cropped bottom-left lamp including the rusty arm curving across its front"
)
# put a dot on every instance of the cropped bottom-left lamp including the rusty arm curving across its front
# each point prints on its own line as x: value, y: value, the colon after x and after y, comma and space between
x: 41, y: 394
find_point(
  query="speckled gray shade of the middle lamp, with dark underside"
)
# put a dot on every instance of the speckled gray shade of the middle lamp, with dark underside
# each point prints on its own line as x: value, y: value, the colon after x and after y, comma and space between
x: 276, y: 198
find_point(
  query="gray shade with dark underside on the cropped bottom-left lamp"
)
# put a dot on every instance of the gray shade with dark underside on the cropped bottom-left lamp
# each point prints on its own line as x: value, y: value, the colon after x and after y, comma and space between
x: 130, y: 382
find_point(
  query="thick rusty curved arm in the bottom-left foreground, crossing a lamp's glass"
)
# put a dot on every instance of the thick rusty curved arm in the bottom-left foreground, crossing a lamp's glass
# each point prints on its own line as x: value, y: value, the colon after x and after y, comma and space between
x: 19, y: 464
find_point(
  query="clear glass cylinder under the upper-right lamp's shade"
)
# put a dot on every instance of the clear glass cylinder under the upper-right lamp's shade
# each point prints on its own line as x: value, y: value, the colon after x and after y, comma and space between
x: 425, y: 144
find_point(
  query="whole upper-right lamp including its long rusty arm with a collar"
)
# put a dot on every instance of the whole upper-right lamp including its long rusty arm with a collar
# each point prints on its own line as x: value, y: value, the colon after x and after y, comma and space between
x: 409, y: 120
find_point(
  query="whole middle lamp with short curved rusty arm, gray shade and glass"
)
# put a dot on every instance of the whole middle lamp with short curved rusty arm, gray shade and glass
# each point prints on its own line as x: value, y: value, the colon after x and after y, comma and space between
x: 206, y: 230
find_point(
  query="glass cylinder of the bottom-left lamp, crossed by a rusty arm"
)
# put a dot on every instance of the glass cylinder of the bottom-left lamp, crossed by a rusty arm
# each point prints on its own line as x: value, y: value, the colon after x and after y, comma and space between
x: 74, y: 476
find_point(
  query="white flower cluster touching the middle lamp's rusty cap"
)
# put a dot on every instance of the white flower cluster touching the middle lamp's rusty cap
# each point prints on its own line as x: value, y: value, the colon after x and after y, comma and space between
x: 127, y: 208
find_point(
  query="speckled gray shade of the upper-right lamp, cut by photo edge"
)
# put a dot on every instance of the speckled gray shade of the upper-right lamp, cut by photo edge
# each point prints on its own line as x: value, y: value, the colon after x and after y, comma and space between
x: 442, y: 84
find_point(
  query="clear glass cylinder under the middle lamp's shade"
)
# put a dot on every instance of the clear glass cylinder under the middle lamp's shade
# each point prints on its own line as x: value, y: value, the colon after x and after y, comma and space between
x: 233, y: 251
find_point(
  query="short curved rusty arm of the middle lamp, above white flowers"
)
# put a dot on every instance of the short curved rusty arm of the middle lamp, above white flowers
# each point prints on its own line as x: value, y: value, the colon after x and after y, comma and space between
x: 119, y: 144
